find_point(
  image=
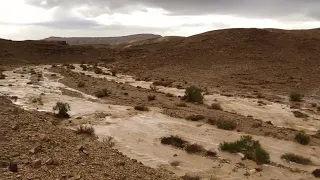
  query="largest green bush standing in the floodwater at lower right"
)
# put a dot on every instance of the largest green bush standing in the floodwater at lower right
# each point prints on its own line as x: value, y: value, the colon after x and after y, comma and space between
x: 249, y: 147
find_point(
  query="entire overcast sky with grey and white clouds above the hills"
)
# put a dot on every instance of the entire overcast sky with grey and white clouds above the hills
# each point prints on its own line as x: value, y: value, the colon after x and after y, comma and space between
x: 36, y: 19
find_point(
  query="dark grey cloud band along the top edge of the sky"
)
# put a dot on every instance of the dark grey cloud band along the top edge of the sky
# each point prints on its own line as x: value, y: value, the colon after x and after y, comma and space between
x: 247, y: 8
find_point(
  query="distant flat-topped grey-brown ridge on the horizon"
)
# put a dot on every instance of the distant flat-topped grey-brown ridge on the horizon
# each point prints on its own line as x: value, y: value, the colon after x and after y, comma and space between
x: 103, y: 40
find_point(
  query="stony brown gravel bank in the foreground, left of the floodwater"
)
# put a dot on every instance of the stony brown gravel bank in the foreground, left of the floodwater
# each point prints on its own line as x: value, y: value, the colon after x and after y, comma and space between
x: 41, y: 150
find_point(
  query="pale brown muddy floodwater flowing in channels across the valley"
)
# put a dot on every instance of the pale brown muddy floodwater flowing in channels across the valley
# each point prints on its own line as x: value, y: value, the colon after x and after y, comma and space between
x: 137, y: 134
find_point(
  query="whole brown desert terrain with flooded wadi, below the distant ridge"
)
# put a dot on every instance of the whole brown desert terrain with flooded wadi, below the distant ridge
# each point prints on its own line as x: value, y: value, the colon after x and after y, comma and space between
x: 225, y: 104
